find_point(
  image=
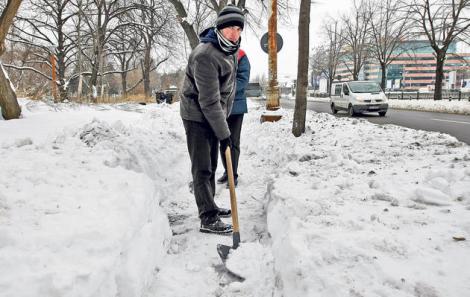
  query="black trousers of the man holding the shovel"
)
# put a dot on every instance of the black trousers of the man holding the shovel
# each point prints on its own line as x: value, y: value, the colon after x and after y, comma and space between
x: 203, y: 151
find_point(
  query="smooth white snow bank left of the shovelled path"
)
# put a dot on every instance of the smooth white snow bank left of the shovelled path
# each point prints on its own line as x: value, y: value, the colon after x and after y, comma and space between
x: 79, y: 209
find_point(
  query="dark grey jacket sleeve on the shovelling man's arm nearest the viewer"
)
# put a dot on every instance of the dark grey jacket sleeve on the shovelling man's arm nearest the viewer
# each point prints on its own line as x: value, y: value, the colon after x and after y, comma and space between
x: 207, y: 82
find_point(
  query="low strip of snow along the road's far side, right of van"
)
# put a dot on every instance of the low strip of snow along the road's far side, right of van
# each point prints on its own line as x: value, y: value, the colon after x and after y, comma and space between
x: 453, y: 106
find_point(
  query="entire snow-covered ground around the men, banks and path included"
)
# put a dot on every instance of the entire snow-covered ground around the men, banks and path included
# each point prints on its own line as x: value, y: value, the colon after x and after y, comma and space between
x: 94, y: 202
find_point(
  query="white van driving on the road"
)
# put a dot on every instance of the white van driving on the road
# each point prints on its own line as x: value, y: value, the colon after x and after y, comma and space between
x: 357, y: 97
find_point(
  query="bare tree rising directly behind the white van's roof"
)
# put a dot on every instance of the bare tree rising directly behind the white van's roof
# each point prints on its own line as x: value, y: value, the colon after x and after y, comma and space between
x: 356, y: 30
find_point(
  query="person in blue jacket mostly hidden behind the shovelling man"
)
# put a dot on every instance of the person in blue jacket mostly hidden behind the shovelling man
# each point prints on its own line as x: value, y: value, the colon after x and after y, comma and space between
x: 235, y: 120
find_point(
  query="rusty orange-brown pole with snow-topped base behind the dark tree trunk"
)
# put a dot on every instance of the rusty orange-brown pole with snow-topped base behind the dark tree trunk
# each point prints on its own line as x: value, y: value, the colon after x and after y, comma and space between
x: 272, y: 103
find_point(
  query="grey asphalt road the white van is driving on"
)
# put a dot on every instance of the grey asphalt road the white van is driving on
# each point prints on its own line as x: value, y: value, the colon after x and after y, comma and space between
x: 455, y: 125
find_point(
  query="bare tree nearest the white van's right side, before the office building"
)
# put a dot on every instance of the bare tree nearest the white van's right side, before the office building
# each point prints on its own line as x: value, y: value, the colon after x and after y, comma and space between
x: 389, y: 27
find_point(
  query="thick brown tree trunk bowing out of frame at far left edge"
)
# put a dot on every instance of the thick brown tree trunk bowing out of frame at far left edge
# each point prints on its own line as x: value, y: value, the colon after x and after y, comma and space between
x: 8, y: 102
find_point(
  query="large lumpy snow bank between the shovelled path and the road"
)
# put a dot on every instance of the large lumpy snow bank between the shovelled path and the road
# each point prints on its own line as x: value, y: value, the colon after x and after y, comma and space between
x: 363, y: 210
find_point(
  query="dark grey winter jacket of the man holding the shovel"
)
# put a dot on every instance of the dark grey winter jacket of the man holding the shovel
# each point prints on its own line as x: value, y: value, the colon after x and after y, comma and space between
x: 209, y: 85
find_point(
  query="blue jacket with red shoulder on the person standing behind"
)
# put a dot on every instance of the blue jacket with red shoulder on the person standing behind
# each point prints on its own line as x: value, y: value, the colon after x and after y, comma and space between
x: 243, y: 77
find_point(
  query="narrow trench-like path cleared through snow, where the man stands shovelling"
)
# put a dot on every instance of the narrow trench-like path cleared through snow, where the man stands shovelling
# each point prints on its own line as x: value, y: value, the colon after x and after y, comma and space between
x: 193, y: 267
